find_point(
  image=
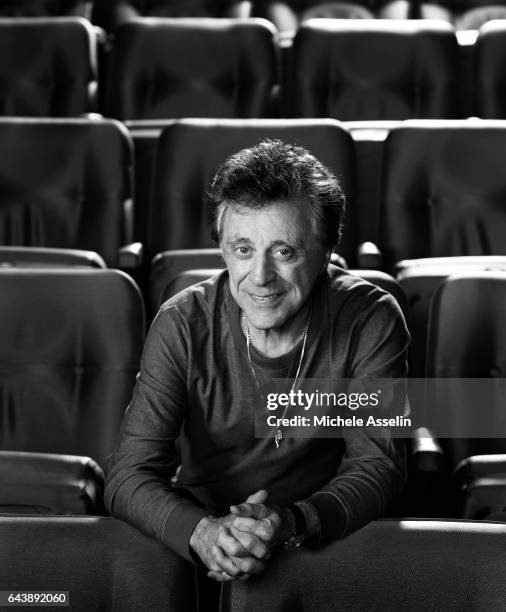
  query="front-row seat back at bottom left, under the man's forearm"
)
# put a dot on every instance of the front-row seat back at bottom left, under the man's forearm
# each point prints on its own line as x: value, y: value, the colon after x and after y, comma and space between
x: 103, y: 564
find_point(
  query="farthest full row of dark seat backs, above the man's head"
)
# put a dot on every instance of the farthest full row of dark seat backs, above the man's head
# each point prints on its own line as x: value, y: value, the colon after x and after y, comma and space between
x: 350, y: 70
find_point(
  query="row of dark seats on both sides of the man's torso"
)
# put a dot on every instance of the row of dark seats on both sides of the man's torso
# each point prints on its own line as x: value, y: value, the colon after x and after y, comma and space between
x: 68, y: 366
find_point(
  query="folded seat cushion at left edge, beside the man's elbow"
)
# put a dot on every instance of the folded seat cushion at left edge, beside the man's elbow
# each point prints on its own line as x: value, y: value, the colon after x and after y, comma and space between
x: 41, y: 483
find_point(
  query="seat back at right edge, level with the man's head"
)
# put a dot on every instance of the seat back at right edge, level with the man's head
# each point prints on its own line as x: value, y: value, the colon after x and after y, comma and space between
x: 443, y: 190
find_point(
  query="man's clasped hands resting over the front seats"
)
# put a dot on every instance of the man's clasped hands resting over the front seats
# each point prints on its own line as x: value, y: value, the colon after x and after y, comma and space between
x: 237, y: 545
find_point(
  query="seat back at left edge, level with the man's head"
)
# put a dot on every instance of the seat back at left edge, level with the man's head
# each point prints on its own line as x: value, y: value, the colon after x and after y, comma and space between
x: 65, y: 183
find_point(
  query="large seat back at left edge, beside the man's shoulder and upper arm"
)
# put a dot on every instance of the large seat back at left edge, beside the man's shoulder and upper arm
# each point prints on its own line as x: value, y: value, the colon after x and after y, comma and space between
x: 70, y: 344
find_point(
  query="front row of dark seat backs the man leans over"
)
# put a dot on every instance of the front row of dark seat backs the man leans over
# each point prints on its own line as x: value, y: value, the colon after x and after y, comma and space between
x: 456, y: 566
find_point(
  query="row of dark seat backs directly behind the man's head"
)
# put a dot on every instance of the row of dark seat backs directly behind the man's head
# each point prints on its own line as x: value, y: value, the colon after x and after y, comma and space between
x: 68, y: 184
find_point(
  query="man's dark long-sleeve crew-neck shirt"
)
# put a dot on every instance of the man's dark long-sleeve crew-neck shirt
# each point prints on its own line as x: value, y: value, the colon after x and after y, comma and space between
x: 196, y: 387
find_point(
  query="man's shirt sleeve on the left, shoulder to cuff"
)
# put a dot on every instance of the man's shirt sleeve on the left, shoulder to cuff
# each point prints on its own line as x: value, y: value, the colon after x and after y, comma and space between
x: 138, y: 486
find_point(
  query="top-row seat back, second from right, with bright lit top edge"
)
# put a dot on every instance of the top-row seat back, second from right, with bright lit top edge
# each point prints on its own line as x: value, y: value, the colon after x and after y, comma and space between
x: 374, y: 69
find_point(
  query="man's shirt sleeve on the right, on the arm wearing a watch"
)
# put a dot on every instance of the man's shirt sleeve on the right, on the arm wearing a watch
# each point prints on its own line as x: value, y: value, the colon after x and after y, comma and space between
x: 372, y: 472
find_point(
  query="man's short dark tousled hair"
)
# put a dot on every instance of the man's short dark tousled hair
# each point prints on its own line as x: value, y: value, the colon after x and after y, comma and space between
x: 275, y: 171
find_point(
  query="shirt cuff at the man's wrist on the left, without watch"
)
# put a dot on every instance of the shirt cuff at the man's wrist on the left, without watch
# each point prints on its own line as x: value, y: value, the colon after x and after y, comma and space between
x: 179, y: 526
